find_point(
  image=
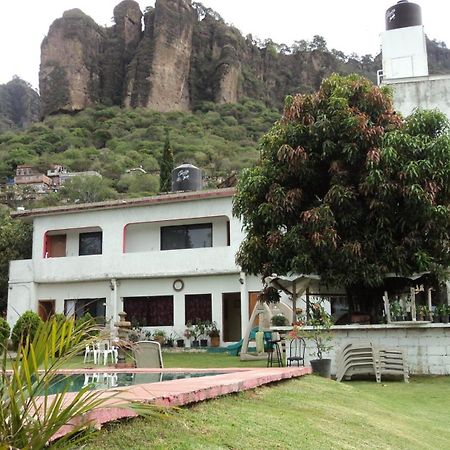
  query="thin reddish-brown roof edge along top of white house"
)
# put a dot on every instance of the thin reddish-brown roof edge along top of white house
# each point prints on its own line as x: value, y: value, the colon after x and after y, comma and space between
x: 174, y: 197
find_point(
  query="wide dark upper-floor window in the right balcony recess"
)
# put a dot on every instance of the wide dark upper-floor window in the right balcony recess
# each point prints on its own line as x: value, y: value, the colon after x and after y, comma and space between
x: 186, y: 236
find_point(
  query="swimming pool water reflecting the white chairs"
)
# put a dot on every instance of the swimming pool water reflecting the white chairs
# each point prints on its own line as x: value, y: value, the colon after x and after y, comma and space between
x: 100, y: 380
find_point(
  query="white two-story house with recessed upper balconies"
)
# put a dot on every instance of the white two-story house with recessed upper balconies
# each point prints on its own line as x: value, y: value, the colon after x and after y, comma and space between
x: 164, y: 260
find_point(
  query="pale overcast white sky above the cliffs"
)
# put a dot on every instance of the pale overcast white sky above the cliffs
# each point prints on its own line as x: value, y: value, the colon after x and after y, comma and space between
x: 348, y: 25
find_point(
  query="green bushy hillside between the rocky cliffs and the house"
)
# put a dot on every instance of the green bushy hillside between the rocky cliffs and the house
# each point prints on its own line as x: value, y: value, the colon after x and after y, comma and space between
x: 217, y: 138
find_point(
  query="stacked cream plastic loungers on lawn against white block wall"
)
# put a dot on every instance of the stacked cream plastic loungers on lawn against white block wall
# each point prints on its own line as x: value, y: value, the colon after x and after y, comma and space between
x: 365, y: 359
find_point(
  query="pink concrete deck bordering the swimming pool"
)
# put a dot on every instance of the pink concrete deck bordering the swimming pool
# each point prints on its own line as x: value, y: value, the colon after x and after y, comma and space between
x: 182, y: 391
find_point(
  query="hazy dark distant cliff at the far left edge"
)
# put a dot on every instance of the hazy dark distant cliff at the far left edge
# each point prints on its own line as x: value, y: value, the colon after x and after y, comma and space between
x: 19, y: 105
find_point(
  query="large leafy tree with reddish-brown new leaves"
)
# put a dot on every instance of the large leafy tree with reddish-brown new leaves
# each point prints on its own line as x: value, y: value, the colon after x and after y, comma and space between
x: 348, y: 190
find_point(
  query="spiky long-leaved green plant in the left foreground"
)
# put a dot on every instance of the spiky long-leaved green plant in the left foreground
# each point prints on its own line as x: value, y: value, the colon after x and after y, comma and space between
x: 29, y: 416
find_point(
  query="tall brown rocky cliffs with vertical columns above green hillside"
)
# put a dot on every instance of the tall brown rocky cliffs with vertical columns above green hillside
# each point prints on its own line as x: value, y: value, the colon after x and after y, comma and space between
x: 184, y: 54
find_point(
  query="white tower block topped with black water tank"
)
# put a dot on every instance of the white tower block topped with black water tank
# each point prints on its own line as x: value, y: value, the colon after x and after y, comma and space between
x: 403, y: 43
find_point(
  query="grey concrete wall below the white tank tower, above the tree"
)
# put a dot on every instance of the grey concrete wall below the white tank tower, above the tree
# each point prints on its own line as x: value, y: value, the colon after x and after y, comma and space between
x: 421, y: 92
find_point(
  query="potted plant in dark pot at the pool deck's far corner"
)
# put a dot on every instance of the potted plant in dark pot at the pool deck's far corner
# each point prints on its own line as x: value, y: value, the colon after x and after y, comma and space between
x: 317, y: 330
